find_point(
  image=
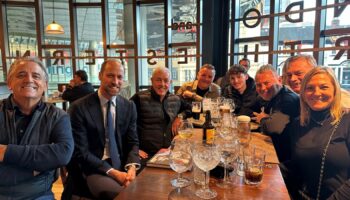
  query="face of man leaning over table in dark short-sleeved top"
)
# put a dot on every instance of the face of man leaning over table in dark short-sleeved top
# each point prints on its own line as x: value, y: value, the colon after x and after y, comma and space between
x: 267, y: 85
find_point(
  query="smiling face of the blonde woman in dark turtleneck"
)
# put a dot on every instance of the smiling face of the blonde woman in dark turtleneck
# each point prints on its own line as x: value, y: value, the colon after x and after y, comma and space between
x: 319, y: 92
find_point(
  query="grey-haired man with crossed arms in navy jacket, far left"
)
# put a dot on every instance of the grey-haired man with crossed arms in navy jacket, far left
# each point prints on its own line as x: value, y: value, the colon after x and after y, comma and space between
x: 35, y: 138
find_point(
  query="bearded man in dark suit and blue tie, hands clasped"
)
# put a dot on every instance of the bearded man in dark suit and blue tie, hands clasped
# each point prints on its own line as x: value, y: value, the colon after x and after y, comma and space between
x: 89, y: 132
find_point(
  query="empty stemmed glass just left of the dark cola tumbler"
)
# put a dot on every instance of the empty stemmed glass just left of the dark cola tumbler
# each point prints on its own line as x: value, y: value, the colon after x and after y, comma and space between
x: 229, y: 151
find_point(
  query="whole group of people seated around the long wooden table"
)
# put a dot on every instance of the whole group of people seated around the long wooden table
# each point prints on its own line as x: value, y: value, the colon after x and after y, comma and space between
x: 104, y: 139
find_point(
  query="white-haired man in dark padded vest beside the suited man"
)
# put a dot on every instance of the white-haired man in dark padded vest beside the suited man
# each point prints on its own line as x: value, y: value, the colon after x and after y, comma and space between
x: 157, y: 111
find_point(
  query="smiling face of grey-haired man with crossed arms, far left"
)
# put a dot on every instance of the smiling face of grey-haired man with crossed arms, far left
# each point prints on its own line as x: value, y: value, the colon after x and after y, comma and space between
x: 27, y: 82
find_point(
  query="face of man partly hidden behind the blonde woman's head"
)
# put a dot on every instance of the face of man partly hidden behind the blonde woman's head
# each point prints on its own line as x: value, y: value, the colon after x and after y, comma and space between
x: 296, y: 72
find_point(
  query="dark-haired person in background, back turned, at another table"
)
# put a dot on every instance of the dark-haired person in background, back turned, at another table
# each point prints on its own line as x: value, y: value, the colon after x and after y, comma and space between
x: 78, y: 87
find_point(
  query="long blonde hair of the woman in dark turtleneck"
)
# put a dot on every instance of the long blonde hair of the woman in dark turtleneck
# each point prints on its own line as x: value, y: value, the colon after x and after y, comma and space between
x: 335, y: 109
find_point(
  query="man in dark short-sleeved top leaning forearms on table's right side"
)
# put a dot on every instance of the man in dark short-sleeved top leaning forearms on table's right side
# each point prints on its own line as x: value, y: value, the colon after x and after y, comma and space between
x: 281, y: 108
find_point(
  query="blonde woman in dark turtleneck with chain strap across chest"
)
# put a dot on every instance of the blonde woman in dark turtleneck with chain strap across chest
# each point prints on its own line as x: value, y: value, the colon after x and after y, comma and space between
x: 320, y: 140
